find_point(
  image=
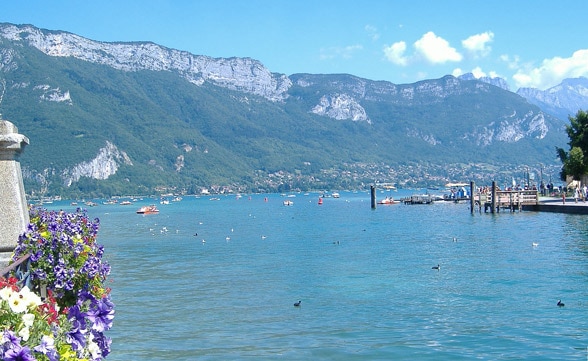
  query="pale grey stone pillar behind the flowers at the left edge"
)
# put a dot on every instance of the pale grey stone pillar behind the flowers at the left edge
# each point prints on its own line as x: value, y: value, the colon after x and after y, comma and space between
x: 14, y: 213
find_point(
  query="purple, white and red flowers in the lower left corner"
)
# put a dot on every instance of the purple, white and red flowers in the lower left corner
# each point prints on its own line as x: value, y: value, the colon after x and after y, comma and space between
x: 66, y: 268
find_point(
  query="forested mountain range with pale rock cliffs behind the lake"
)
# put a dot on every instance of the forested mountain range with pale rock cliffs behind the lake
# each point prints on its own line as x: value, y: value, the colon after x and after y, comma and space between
x: 139, y: 118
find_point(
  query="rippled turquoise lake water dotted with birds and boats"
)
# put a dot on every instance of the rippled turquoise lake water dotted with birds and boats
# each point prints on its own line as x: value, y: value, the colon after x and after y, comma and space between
x: 364, y: 277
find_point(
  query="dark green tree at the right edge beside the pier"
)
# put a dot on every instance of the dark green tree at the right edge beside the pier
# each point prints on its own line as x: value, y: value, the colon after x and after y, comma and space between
x: 575, y: 162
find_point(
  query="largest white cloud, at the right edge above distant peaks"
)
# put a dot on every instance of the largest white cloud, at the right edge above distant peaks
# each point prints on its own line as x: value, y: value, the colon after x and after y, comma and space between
x: 553, y: 71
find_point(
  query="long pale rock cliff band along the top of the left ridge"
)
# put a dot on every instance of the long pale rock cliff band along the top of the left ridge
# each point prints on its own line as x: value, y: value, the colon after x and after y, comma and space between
x: 242, y: 74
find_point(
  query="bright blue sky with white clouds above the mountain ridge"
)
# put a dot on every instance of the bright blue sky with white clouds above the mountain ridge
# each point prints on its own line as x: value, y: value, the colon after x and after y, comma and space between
x: 529, y: 43
